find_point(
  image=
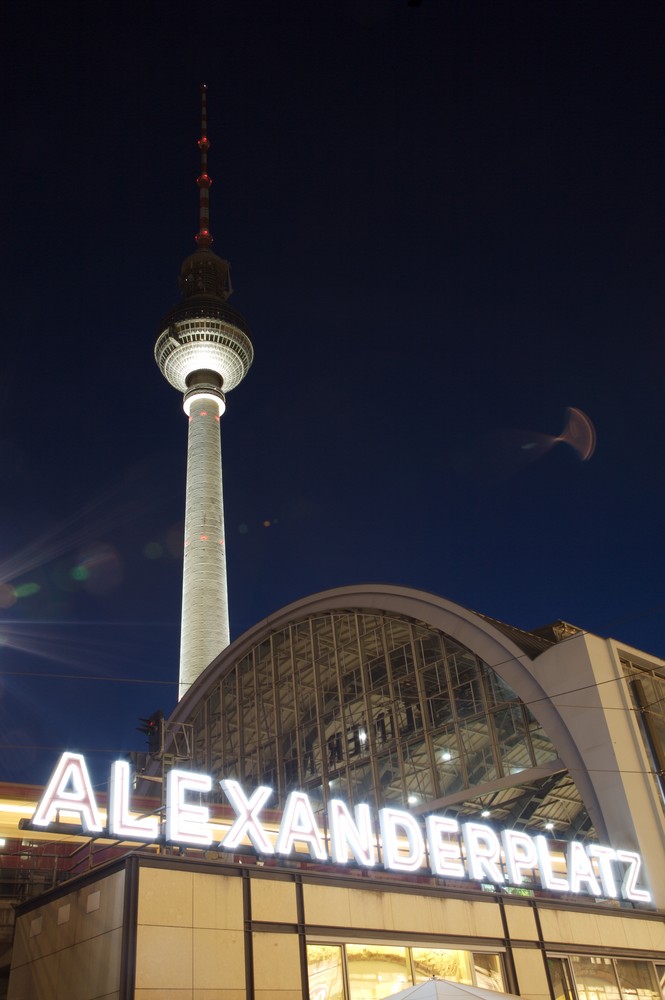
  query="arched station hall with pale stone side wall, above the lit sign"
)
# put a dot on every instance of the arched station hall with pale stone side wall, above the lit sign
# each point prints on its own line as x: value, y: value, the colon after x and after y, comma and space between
x: 392, y: 696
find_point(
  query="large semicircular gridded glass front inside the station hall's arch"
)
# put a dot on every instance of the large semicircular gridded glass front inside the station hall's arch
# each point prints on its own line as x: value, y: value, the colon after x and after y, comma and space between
x: 382, y: 709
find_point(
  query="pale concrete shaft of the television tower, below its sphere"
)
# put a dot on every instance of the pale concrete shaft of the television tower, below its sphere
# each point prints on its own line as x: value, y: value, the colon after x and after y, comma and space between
x: 205, y: 610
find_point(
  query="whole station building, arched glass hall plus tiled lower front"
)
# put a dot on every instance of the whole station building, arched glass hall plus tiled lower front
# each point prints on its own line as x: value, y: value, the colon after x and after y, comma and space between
x: 400, y: 701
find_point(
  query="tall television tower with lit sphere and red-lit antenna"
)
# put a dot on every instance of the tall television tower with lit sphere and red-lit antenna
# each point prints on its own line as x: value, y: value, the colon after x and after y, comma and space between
x: 203, y: 350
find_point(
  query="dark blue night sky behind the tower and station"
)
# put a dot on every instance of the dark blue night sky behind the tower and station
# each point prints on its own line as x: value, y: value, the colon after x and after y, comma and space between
x: 446, y: 226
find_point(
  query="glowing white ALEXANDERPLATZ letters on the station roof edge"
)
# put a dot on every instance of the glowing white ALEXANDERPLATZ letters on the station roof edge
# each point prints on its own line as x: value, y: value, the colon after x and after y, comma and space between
x: 447, y: 848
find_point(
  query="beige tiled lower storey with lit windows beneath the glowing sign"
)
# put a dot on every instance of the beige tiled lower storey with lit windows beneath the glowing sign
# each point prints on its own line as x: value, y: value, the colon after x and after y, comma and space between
x: 175, y: 927
